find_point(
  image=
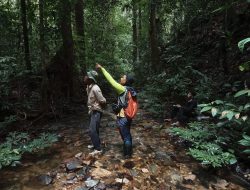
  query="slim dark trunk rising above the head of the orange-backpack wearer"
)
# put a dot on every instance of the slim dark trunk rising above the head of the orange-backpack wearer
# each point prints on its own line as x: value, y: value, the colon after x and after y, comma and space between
x: 135, y: 32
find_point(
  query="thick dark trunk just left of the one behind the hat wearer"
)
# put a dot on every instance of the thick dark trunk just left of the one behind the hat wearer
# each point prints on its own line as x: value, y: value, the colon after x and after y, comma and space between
x: 68, y: 51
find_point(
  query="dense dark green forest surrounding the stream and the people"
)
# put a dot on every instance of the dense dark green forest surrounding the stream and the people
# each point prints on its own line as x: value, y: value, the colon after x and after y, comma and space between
x: 170, y: 47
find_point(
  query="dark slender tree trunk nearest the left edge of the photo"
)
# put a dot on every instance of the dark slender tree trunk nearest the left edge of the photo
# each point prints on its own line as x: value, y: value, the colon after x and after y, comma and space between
x: 25, y: 35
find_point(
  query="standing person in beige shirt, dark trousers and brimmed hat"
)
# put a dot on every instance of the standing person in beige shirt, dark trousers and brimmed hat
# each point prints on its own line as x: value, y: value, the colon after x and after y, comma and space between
x: 95, y: 103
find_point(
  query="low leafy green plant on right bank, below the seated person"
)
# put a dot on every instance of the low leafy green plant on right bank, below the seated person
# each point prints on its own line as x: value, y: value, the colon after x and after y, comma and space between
x: 206, y: 143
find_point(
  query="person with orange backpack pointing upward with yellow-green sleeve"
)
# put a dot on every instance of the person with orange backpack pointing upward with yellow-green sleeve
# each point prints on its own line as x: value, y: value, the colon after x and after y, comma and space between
x: 125, y: 109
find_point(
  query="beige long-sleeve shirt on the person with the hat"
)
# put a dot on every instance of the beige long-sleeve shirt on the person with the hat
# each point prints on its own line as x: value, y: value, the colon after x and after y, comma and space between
x: 95, y: 97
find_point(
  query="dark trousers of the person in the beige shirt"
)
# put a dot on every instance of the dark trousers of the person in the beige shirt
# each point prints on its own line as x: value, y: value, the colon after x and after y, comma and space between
x: 94, y: 125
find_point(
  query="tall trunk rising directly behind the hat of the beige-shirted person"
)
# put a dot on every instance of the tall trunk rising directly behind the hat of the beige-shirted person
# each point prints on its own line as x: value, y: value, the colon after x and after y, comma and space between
x: 79, y: 20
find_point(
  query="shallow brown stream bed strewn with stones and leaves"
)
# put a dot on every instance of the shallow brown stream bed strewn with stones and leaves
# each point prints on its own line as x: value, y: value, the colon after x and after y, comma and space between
x: 156, y: 163
